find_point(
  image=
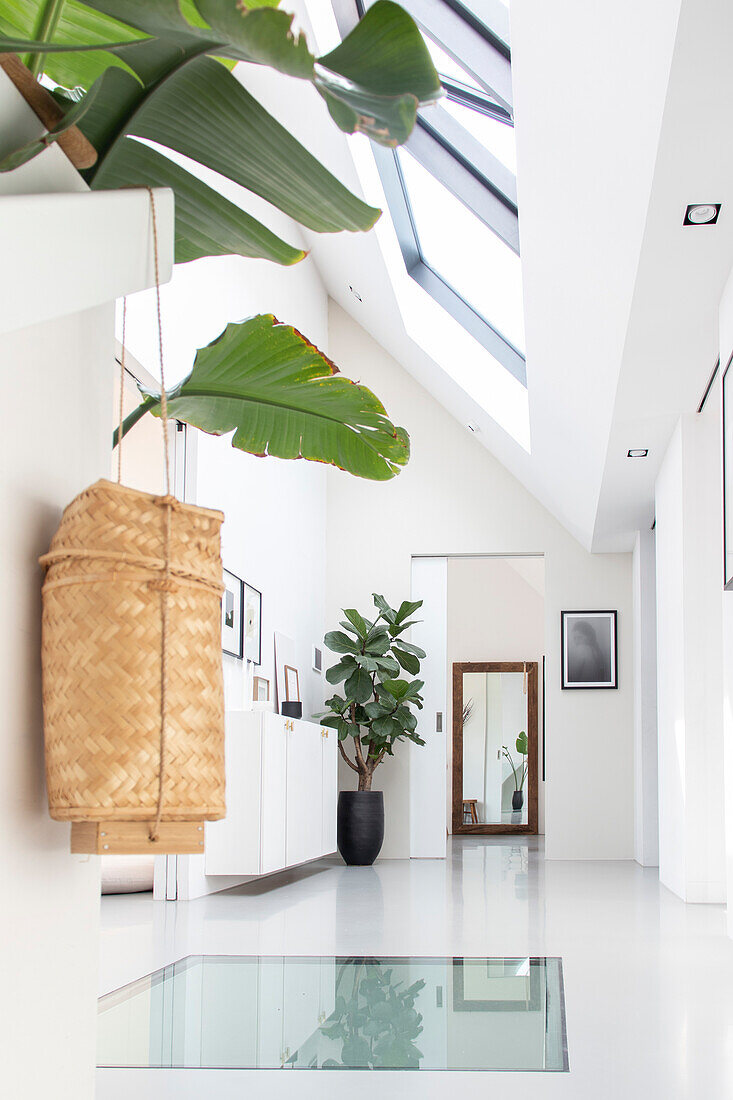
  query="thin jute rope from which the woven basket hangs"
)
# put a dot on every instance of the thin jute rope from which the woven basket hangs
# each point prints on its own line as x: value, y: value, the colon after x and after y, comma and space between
x: 169, y: 503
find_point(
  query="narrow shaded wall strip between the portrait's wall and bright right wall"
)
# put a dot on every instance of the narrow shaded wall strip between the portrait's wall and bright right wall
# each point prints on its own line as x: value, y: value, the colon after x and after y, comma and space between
x: 647, y: 810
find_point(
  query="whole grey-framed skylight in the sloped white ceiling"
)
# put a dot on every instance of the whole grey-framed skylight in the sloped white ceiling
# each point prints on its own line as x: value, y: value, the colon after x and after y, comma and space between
x: 452, y: 190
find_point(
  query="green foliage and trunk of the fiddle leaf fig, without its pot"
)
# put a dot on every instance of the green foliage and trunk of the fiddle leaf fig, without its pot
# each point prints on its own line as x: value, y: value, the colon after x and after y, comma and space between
x: 376, y: 701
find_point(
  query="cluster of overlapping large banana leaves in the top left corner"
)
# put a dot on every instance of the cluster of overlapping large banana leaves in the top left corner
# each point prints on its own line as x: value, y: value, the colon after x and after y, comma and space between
x: 170, y: 91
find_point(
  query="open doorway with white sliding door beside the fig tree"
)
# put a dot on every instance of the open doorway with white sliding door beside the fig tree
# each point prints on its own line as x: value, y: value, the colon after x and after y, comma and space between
x: 478, y: 610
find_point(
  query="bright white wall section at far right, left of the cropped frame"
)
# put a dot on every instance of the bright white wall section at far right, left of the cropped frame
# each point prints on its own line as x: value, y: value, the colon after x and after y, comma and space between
x: 690, y: 661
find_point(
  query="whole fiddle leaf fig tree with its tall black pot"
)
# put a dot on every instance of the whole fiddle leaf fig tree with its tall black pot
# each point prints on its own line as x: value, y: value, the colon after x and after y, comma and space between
x: 375, y: 710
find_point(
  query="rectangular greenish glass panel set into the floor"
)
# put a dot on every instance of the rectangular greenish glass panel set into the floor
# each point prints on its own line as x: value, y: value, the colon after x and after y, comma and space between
x: 249, y: 1013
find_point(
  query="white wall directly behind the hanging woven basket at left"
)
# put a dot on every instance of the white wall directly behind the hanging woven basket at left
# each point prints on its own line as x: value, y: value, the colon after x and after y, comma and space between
x: 56, y: 380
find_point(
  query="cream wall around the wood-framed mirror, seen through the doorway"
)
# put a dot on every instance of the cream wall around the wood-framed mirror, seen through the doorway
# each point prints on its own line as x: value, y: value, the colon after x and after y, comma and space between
x: 497, y: 613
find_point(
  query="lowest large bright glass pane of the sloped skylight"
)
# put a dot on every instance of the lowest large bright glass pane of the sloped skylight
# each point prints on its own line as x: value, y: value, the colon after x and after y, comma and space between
x: 465, y: 254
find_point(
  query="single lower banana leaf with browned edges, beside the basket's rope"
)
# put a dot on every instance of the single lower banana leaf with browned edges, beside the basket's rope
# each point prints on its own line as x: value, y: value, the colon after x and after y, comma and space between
x: 282, y: 397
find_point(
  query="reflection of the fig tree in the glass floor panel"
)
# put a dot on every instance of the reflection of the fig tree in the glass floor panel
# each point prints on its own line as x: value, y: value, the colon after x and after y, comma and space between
x: 375, y: 1019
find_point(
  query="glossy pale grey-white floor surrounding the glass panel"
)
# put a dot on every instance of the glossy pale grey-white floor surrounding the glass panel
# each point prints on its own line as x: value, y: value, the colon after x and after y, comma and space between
x: 649, y: 980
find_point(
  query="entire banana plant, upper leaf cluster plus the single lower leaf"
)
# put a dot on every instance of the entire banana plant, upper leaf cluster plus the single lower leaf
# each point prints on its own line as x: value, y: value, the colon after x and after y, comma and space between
x: 133, y: 72
